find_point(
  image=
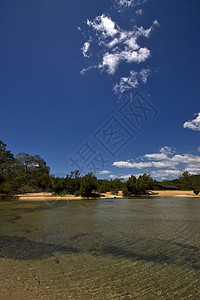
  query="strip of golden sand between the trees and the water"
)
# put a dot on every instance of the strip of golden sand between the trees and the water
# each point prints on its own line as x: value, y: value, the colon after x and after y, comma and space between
x: 49, y: 197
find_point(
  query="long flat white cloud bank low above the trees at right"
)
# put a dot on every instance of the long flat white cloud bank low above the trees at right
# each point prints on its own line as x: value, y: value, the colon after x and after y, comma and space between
x: 165, y: 163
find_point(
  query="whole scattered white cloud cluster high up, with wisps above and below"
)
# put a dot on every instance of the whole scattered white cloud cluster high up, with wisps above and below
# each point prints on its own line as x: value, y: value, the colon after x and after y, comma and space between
x: 111, y: 46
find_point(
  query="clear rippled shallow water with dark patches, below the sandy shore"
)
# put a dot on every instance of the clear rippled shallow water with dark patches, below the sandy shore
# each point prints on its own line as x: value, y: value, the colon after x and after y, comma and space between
x: 100, y: 249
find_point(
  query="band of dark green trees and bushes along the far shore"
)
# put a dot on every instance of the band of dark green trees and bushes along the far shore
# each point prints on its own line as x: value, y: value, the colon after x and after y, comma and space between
x: 26, y: 173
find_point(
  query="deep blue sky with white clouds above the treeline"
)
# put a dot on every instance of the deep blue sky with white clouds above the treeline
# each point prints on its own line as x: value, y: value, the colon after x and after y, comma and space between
x: 71, y: 70
